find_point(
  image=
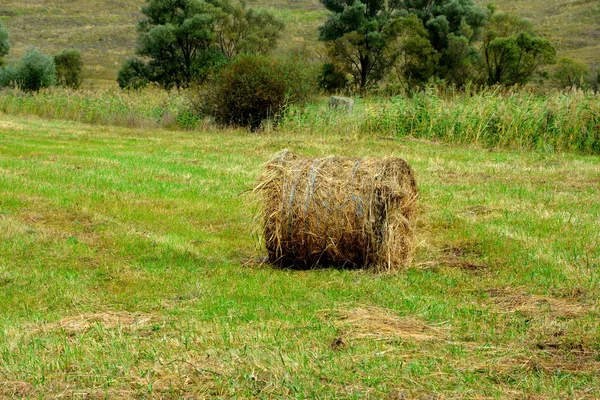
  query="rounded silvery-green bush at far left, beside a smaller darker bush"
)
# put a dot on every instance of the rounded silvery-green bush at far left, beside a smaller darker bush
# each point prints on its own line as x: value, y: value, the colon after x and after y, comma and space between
x: 36, y: 70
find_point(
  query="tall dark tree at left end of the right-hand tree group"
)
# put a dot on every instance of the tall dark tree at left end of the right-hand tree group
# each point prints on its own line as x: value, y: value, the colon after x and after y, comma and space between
x: 361, y: 38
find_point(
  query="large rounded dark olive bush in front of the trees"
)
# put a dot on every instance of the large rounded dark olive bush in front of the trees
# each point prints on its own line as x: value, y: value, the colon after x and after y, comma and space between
x: 253, y: 88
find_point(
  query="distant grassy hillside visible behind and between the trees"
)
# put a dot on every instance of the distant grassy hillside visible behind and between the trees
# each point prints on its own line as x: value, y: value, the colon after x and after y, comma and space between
x: 104, y: 30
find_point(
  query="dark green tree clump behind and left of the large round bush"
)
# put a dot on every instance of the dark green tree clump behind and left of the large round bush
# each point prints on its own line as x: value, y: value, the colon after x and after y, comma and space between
x: 185, y: 40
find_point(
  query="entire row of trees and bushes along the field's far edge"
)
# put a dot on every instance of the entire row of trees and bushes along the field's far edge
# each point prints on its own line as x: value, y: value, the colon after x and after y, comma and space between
x: 221, y: 48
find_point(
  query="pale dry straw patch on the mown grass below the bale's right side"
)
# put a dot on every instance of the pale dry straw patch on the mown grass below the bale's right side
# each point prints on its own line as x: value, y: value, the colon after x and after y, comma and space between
x: 377, y: 323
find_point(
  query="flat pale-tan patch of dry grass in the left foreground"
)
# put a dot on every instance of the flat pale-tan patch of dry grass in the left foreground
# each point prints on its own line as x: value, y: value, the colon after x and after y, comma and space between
x: 81, y: 323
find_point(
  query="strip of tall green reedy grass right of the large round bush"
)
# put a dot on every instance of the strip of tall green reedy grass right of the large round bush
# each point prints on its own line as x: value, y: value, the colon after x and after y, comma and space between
x: 559, y: 121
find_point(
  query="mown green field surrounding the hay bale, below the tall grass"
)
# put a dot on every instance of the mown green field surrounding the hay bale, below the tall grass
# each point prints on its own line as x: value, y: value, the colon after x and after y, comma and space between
x: 129, y: 268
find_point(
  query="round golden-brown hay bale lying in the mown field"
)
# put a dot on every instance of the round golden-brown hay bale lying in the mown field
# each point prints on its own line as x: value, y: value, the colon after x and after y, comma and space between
x: 341, y: 211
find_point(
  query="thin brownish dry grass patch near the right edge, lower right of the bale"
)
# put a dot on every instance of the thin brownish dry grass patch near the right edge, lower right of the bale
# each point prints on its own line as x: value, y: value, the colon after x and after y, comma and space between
x: 510, y: 300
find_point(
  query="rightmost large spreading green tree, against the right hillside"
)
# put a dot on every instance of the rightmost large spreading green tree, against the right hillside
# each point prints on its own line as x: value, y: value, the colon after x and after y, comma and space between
x: 511, y: 51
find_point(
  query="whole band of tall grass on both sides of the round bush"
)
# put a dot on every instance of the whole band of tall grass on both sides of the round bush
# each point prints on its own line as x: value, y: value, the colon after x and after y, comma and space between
x: 556, y: 121
